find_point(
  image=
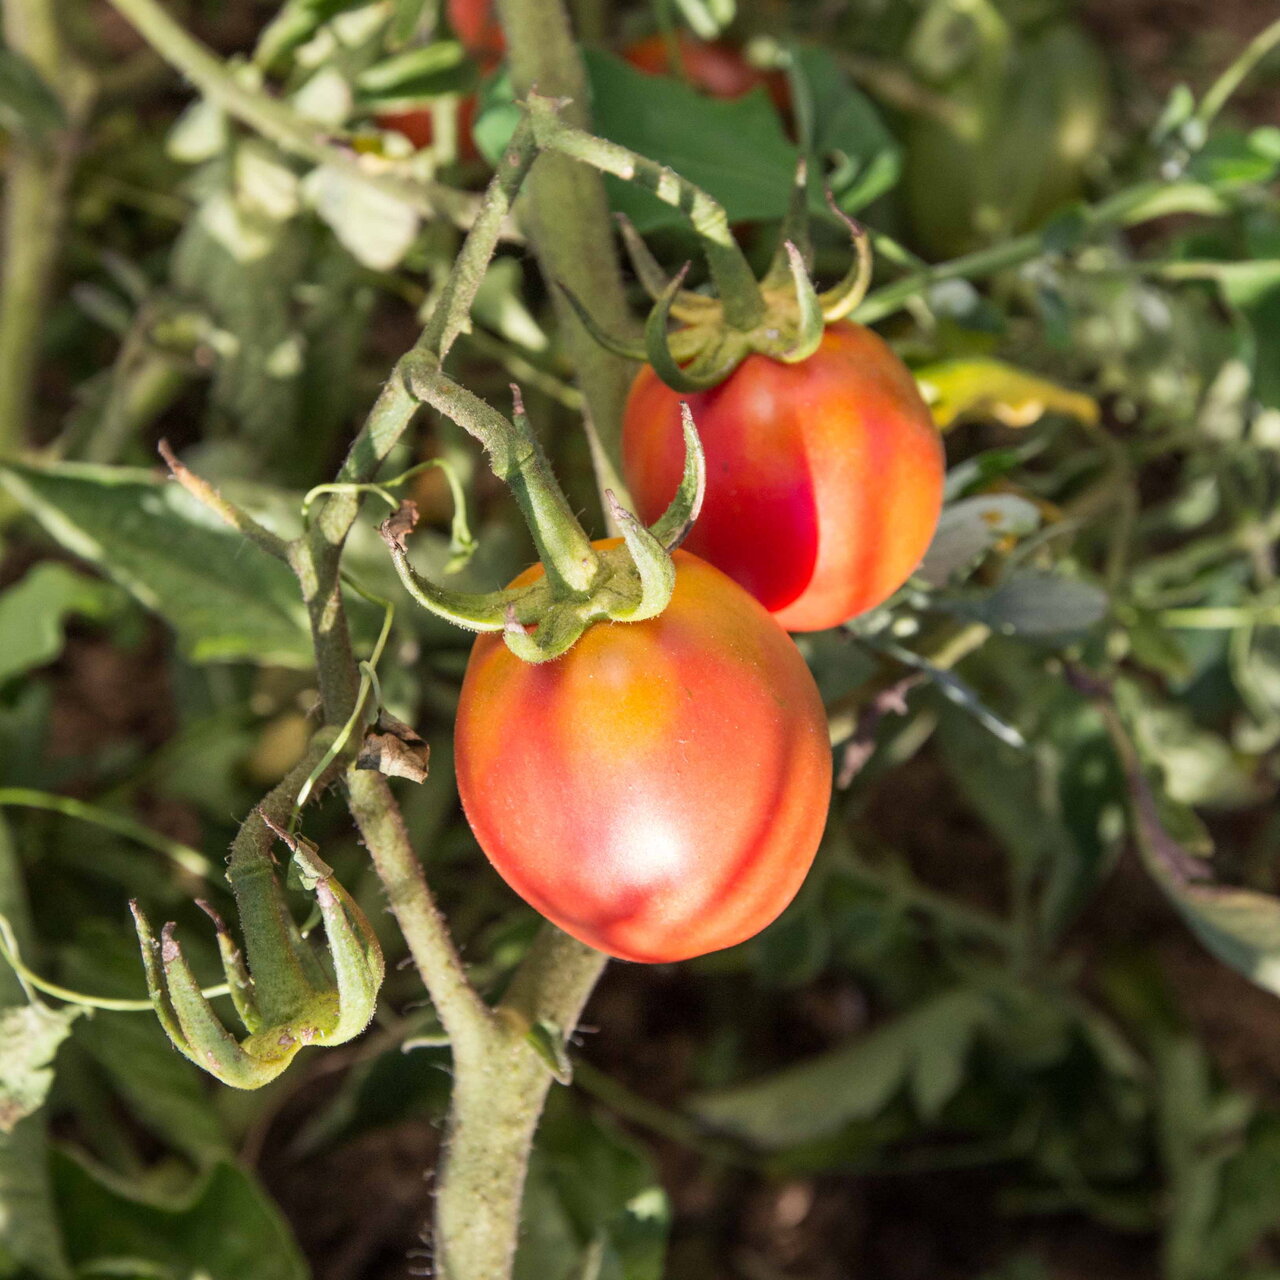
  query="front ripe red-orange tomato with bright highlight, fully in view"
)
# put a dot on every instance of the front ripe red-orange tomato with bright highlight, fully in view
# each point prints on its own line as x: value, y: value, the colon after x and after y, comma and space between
x: 660, y: 790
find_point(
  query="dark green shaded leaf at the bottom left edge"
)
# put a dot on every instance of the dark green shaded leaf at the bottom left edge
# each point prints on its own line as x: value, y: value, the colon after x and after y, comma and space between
x: 225, y: 1229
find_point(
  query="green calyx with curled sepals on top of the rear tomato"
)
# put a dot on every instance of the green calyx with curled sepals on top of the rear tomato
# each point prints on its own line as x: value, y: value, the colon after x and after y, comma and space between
x: 714, y: 336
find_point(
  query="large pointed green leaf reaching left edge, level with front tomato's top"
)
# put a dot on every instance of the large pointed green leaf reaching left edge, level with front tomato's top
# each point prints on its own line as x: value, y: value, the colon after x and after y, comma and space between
x: 225, y: 598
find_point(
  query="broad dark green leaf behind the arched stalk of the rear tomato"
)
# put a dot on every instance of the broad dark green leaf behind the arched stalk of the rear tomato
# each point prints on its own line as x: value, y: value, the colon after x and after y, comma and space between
x: 734, y: 150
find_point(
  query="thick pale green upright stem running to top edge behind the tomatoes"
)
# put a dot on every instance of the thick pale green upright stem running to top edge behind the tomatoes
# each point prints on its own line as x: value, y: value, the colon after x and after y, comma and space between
x: 564, y: 195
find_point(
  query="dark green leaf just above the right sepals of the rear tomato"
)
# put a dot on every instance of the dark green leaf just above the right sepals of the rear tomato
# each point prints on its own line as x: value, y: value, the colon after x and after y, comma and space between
x: 845, y: 127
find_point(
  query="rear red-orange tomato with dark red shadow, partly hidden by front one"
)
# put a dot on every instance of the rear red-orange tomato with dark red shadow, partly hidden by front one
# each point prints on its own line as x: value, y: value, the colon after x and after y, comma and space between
x: 824, y: 479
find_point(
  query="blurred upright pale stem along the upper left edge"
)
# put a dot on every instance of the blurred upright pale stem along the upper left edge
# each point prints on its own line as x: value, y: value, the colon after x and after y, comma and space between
x: 38, y: 177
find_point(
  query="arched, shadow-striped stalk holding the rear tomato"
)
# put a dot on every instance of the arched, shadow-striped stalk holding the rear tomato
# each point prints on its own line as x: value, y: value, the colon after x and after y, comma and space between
x: 735, y: 281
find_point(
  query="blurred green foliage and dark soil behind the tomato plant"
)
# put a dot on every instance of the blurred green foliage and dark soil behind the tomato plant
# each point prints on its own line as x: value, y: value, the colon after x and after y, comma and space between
x: 1022, y: 1022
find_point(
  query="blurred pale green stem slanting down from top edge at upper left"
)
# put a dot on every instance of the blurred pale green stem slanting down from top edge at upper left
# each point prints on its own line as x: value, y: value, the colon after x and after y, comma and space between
x: 275, y: 120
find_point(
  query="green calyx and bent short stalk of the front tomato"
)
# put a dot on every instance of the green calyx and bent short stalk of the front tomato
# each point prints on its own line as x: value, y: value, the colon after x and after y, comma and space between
x: 583, y: 584
